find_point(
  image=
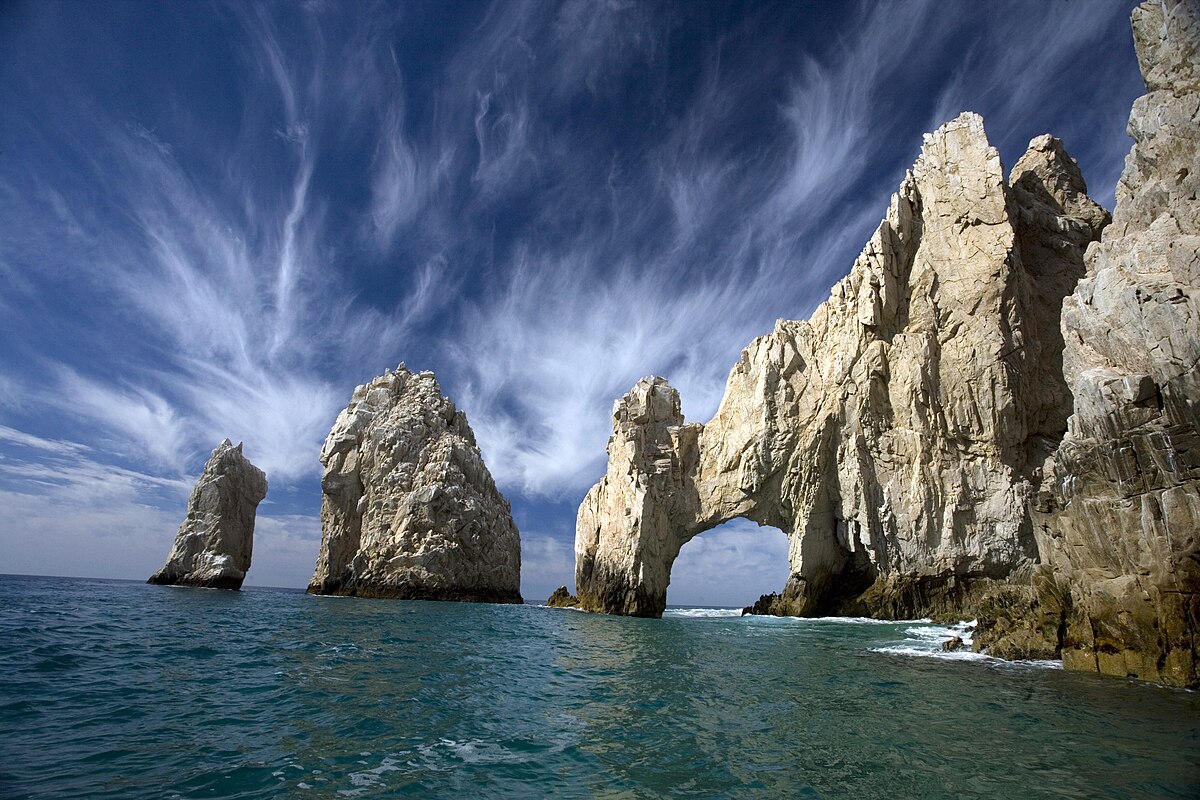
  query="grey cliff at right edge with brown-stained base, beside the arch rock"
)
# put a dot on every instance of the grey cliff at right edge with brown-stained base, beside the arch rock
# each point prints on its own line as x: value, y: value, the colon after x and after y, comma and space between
x: 1119, y: 516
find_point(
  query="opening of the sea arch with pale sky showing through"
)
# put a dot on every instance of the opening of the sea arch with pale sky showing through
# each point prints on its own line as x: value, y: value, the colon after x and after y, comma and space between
x: 729, y: 567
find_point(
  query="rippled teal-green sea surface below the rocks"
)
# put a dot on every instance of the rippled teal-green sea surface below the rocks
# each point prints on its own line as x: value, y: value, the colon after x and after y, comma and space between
x: 124, y: 690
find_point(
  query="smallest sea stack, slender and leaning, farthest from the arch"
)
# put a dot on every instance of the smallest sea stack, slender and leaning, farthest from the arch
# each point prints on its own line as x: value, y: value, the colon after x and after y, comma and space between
x: 215, y: 543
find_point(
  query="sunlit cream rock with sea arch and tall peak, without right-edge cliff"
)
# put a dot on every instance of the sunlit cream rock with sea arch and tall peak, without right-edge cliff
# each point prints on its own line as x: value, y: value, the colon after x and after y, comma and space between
x: 898, y: 435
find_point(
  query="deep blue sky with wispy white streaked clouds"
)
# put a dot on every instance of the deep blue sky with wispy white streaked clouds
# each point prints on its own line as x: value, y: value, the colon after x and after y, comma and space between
x: 219, y: 219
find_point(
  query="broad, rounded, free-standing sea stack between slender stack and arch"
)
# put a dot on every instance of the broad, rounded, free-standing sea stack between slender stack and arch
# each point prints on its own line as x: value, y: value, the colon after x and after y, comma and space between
x: 409, y: 508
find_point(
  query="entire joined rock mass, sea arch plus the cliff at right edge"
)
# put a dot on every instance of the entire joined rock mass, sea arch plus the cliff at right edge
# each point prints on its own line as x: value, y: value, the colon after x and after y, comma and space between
x: 913, y: 438
